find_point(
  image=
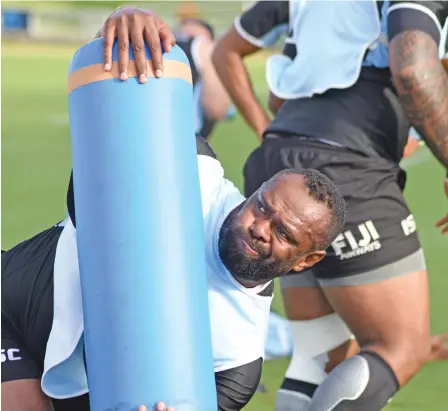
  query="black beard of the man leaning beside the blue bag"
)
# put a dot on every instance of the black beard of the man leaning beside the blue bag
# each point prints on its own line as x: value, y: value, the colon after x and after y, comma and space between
x: 242, y: 265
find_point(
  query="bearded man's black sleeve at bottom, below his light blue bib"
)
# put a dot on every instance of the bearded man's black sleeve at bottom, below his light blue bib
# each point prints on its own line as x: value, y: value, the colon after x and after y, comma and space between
x: 235, y: 387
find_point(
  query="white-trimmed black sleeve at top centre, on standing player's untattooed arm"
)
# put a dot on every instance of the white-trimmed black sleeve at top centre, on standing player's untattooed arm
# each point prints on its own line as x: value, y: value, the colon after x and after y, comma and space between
x: 264, y: 23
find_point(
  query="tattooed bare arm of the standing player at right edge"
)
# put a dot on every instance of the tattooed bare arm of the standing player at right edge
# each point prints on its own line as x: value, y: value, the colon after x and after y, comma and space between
x: 422, y: 87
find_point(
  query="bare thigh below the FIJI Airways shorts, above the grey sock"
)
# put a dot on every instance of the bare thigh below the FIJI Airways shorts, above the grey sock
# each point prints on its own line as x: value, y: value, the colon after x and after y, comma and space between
x: 390, y: 317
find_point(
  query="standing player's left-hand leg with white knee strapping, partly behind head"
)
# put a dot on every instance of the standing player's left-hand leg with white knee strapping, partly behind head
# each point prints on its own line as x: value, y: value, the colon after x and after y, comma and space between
x: 321, y: 339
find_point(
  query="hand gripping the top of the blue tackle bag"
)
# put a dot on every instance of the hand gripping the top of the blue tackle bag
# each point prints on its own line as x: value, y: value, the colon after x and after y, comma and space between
x: 136, y: 25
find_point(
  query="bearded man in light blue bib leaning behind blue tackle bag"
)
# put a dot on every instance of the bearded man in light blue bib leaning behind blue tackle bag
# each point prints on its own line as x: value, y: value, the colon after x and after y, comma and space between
x: 286, y: 225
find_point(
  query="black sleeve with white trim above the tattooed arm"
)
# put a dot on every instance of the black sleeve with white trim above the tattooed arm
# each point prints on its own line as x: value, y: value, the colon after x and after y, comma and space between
x: 426, y: 16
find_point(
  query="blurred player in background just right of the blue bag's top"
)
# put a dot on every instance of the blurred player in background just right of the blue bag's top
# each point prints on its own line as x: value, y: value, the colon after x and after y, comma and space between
x: 212, y: 104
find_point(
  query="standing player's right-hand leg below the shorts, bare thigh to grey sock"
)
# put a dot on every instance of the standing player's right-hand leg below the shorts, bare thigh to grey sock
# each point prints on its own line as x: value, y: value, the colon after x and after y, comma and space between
x: 391, y: 321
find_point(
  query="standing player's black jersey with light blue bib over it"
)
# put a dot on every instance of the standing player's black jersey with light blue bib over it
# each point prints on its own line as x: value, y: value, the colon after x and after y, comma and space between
x: 361, y: 113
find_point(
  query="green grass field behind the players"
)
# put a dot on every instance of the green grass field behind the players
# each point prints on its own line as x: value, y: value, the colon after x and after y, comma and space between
x: 36, y: 164
